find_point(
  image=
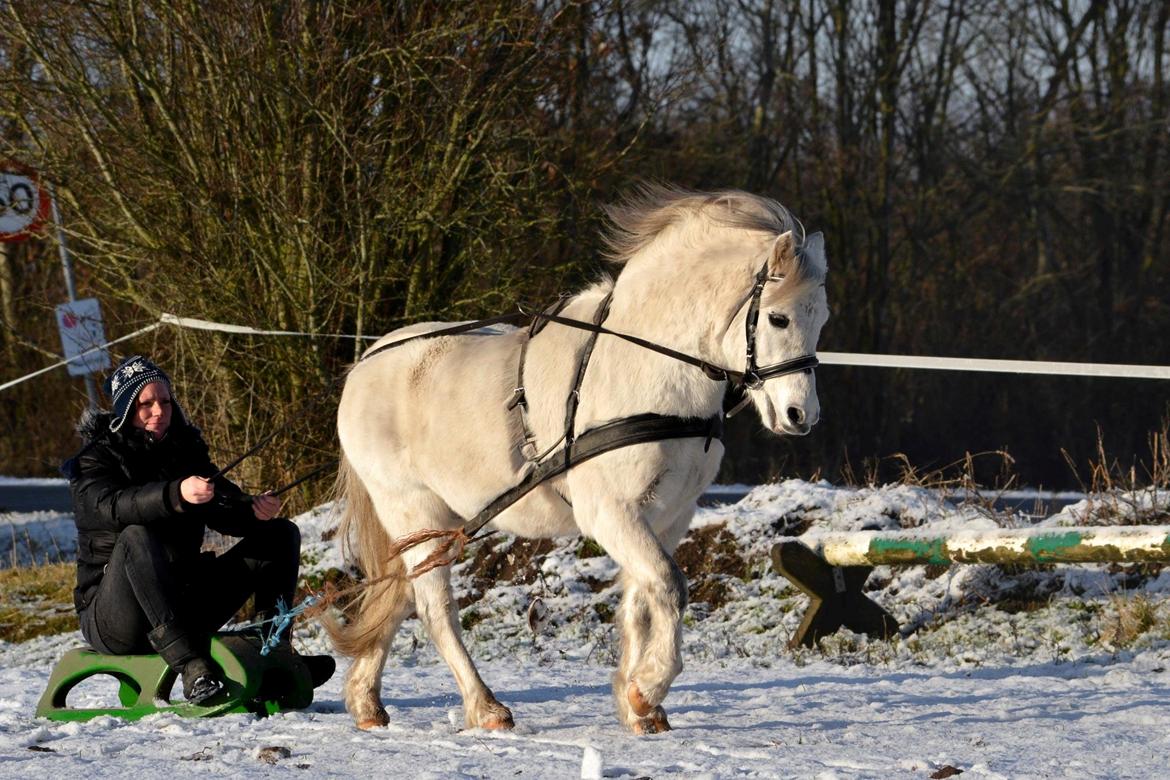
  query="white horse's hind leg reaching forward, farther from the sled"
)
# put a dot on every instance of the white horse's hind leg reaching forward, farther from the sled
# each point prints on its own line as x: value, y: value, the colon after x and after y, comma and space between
x: 439, y: 615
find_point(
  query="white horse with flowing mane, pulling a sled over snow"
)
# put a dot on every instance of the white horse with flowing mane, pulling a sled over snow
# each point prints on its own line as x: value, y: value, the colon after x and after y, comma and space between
x: 429, y: 440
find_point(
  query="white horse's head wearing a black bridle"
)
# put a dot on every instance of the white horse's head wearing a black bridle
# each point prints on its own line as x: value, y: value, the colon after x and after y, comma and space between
x: 792, y: 313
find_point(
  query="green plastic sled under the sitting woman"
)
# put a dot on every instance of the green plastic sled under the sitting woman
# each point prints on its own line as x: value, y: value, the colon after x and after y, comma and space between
x: 253, y: 684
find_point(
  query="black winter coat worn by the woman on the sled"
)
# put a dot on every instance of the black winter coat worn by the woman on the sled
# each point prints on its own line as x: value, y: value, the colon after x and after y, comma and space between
x: 128, y: 479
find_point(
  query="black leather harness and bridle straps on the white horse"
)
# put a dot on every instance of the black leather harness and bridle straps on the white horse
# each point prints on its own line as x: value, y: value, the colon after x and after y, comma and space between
x: 637, y: 430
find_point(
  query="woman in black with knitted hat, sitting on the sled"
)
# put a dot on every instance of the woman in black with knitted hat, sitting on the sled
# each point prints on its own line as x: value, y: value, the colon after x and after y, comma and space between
x: 144, y: 489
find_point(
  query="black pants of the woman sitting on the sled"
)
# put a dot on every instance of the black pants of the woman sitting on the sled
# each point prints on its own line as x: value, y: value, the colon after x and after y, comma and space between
x: 142, y: 590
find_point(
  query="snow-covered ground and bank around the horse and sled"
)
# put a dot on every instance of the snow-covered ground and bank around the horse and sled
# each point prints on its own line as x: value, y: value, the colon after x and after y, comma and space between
x: 1051, y: 692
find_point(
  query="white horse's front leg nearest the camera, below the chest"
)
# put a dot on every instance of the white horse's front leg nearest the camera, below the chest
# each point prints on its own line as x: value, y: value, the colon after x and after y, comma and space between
x: 650, y: 619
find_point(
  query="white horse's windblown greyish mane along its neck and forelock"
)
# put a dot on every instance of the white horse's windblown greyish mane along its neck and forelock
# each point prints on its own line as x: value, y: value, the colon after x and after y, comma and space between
x: 642, y: 218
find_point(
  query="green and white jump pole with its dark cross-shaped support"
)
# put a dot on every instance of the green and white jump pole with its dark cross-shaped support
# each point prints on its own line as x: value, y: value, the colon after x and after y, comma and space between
x: 832, y: 568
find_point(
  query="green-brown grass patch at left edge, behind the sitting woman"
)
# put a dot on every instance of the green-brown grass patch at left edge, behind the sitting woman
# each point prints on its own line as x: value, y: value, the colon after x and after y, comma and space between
x: 38, y: 602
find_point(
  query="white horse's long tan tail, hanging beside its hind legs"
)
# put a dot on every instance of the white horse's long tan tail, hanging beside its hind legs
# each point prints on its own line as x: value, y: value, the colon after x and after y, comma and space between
x: 367, y: 544
